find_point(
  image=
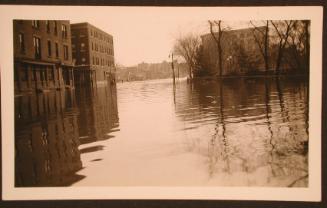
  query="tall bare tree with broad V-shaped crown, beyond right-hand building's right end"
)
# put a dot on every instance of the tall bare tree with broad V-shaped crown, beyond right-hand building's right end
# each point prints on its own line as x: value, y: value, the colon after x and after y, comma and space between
x: 283, y: 29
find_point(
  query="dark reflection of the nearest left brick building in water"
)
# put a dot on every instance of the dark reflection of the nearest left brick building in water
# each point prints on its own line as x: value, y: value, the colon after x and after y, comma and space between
x: 46, y: 140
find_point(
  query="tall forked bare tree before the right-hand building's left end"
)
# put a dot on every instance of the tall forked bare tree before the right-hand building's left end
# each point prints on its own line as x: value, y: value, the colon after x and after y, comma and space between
x: 217, y: 36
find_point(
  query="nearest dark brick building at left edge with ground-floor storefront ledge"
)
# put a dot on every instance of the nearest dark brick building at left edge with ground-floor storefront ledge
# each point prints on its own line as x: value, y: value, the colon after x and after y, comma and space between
x: 42, y: 55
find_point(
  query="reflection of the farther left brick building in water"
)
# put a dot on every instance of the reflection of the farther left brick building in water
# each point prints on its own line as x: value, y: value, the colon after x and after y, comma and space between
x: 98, y: 113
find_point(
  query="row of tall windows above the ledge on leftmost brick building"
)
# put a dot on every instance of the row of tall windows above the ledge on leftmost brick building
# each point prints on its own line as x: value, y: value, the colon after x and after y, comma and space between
x: 37, y: 47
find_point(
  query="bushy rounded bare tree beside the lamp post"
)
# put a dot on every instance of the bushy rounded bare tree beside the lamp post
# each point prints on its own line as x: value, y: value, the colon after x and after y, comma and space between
x: 187, y: 47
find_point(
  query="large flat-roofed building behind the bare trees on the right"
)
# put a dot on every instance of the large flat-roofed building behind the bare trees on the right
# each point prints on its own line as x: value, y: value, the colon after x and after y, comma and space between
x: 240, y: 52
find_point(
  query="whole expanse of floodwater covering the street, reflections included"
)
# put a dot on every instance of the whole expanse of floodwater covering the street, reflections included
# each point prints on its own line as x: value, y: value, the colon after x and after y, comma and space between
x: 235, y: 132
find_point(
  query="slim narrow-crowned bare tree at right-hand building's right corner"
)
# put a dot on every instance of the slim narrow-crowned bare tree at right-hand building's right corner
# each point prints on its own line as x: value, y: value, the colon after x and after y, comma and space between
x: 261, y: 37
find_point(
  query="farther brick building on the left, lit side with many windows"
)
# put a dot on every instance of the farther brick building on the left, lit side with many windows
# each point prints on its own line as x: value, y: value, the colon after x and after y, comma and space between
x: 93, y: 53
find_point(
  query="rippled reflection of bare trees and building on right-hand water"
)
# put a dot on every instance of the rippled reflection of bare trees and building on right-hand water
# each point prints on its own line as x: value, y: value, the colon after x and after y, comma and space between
x: 258, y: 127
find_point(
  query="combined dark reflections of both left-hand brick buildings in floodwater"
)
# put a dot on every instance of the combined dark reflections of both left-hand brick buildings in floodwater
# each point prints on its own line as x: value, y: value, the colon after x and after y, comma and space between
x: 50, y: 127
